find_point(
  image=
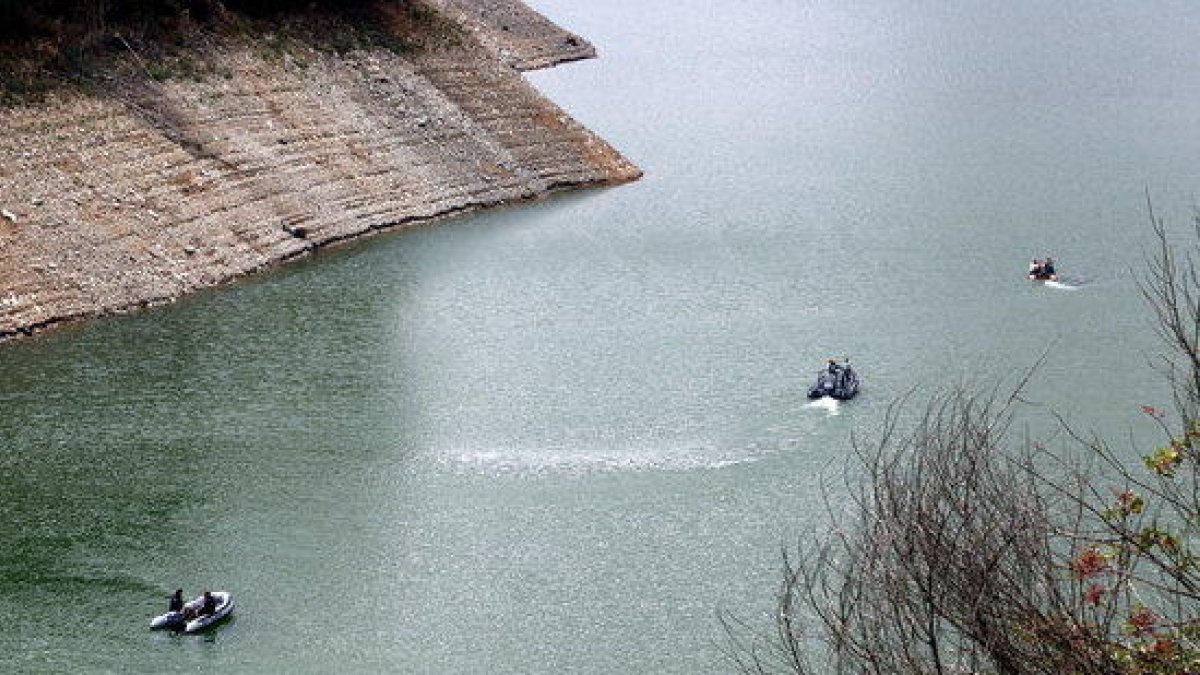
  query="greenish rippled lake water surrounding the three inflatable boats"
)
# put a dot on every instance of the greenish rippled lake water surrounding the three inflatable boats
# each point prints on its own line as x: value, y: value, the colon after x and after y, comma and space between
x: 562, y: 438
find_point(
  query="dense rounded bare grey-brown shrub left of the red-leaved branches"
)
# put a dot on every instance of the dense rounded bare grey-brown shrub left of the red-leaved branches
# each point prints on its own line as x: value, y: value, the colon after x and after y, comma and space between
x: 946, y: 561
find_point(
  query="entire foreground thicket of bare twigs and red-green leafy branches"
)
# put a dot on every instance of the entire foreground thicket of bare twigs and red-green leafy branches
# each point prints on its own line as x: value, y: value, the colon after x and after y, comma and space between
x: 961, y: 549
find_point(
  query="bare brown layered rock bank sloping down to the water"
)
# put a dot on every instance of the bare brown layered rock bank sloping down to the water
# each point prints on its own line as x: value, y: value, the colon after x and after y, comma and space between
x: 125, y: 196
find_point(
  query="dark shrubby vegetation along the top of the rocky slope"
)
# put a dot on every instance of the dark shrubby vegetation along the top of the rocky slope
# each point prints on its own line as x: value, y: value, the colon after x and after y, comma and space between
x: 46, y: 45
